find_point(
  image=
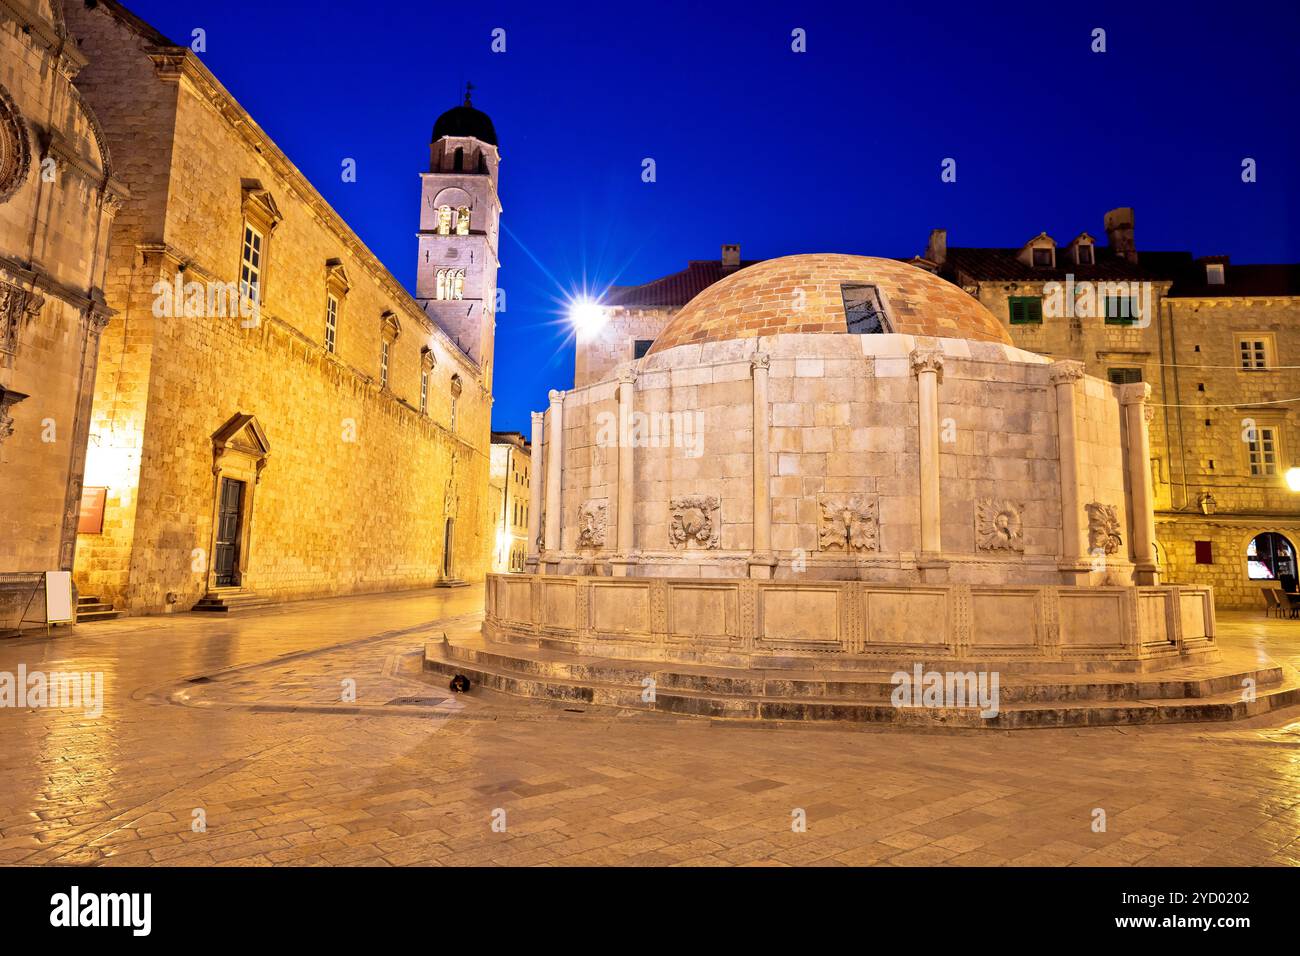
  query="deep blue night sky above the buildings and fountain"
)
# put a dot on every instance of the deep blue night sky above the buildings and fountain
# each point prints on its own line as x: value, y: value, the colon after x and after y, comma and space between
x: 834, y: 150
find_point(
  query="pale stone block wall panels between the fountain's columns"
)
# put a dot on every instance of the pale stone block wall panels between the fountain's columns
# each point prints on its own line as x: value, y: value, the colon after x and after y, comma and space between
x: 843, y: 430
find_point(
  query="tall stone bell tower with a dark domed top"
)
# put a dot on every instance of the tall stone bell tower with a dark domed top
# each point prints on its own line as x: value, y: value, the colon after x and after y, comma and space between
x: 460, y: 228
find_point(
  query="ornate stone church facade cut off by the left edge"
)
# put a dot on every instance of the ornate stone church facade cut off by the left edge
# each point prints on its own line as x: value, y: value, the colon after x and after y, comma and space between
x: 58, y: 204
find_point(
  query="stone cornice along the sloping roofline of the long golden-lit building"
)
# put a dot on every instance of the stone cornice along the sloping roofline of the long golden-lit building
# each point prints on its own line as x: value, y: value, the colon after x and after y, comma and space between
x: 180, y: 64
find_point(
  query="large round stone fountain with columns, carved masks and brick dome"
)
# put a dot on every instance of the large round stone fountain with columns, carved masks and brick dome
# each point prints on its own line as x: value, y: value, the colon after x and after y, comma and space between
x: 826, y: 470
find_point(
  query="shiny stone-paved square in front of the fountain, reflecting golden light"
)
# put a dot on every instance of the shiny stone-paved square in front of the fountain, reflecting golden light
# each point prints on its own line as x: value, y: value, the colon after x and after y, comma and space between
x: 242, y: 720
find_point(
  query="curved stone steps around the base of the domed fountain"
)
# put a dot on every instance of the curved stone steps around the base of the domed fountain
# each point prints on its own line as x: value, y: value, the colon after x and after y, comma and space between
x: 493, y: 671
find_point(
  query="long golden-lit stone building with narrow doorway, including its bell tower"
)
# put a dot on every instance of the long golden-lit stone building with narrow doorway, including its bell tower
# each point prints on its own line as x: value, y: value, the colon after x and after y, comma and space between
x: 275, y: 417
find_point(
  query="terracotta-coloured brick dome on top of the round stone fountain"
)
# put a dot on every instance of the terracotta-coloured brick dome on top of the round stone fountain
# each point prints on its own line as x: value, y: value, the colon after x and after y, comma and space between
x: 761, y: 301
